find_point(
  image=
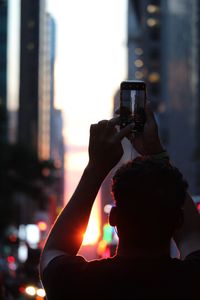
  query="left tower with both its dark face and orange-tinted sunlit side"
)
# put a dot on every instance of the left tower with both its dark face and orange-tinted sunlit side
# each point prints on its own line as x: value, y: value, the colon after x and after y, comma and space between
x: 35, y: 99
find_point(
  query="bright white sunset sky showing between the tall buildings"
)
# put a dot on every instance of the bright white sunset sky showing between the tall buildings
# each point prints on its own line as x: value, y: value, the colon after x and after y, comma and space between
x: 91, y: 61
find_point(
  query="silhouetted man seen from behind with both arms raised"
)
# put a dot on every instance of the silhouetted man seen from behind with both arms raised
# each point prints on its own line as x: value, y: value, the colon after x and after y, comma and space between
x: 149, y: 196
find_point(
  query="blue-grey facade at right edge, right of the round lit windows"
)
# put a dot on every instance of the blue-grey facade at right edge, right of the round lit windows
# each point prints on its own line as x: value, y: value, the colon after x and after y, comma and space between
x: 180, y: 89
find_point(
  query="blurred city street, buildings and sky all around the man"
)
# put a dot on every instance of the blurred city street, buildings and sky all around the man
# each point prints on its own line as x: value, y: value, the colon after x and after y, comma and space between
x: 61, y: 64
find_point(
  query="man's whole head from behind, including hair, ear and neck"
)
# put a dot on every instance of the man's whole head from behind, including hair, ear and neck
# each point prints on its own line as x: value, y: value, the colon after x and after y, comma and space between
x: 149, y: 197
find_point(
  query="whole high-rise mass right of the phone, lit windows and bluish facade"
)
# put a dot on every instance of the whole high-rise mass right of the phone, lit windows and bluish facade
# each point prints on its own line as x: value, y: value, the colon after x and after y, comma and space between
x: 163, y: 50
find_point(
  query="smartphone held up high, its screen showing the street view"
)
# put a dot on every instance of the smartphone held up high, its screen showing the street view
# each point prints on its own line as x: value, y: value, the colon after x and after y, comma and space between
x: 132, y: 104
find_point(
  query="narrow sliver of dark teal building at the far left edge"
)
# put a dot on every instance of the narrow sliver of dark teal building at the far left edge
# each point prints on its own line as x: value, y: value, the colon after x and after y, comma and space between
x: 3, y: 70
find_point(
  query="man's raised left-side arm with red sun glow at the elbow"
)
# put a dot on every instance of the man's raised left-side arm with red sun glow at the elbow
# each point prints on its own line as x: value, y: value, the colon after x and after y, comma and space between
x: 105, y: 151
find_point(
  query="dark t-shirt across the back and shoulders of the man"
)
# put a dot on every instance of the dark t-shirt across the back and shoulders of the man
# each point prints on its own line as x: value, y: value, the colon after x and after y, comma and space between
x: 121, y: 278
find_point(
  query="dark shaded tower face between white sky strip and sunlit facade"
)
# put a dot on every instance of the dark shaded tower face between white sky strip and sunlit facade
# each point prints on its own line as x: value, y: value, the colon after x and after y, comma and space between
x: 29, y: 74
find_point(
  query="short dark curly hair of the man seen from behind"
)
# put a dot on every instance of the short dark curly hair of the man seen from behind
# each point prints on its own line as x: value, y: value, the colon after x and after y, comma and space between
x: 146, y: 191
